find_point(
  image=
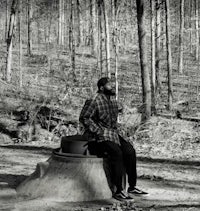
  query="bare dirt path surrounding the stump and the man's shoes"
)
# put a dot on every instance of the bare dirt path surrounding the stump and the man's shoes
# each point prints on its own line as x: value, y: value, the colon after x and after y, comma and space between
x: 170, y: 186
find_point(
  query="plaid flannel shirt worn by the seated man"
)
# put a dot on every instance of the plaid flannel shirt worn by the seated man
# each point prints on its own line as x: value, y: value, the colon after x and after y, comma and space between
x: 99, y: 117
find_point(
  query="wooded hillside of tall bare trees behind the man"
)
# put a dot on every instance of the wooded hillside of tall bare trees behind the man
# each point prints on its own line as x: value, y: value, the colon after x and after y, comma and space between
x: 53, y: 52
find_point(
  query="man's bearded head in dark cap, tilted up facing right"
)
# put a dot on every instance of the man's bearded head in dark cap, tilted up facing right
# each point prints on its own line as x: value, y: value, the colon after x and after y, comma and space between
x: 105, y: 86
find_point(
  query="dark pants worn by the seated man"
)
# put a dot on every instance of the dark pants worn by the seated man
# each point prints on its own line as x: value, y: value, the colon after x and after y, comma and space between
x: 120, y: 158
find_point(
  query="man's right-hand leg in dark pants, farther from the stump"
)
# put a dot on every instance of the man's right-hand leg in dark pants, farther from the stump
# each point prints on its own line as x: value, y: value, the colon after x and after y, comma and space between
x: 129, y: 156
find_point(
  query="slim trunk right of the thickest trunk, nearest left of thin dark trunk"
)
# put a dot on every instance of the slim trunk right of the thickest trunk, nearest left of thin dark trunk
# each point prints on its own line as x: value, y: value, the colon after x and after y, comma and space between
x: 158, y: 29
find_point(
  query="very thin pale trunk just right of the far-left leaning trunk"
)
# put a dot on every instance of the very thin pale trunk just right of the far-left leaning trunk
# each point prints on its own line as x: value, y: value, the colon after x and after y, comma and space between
x: 20, y: 43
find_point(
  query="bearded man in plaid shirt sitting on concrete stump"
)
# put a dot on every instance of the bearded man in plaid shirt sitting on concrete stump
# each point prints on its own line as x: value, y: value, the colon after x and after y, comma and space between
x: 99, y: 117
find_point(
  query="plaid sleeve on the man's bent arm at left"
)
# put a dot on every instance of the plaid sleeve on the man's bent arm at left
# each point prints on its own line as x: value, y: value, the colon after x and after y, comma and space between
x: 88, y: 111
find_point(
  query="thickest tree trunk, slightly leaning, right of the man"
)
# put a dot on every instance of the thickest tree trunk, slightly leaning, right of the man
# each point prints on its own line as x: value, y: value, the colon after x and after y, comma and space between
x: 146, y: 87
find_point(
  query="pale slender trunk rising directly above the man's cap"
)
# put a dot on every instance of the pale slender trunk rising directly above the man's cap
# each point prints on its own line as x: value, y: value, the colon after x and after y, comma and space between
x: 107, y: 38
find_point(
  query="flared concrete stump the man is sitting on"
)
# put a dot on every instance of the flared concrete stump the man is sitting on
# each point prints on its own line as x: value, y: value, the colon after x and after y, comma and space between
x: 67, y: 177
